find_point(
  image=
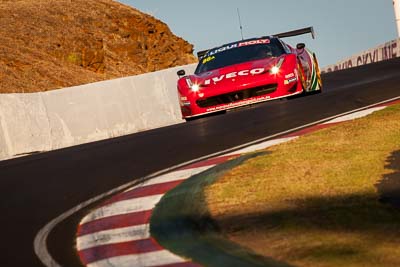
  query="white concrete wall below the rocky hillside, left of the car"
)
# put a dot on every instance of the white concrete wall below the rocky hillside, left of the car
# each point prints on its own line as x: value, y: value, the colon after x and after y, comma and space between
x: 55, y: 119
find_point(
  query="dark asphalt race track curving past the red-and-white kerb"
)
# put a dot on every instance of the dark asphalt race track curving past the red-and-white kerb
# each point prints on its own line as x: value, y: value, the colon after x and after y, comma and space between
x: 38, y: 188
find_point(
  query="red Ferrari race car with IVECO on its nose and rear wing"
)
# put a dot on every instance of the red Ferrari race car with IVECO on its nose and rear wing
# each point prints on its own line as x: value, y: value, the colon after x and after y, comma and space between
x: 246, y: 72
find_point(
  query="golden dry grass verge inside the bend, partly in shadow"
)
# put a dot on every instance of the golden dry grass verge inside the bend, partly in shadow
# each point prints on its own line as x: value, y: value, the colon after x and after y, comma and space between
x: 314, y: 201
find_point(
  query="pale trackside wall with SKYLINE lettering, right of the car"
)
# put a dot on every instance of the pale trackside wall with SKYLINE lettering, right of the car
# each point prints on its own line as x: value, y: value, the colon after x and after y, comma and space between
x: 386, y: 51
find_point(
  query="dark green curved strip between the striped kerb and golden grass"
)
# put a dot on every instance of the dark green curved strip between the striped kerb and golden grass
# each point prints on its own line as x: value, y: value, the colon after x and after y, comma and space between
x: 181, y: 223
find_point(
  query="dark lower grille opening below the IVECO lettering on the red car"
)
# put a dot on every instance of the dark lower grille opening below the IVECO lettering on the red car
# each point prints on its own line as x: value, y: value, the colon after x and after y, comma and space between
x: 236, y: 96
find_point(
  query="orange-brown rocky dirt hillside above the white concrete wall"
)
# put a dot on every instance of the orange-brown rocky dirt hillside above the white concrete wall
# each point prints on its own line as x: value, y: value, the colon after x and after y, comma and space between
x: 49, y: 44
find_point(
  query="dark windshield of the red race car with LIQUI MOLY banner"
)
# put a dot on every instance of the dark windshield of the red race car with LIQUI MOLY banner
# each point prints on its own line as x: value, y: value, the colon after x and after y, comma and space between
x: 235, y: 54
